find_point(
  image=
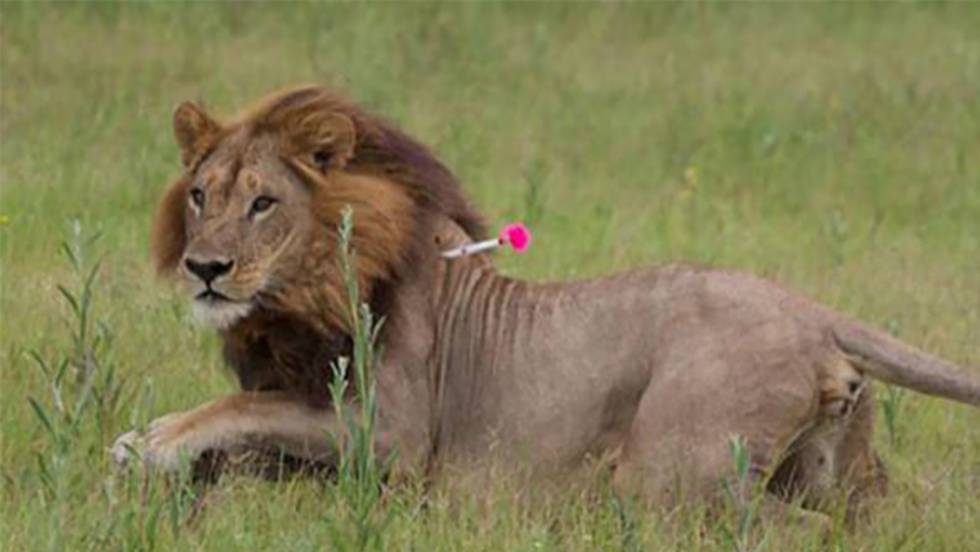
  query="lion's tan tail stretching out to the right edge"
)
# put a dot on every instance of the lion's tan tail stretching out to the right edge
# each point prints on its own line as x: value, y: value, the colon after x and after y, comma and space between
x: 892, y: 361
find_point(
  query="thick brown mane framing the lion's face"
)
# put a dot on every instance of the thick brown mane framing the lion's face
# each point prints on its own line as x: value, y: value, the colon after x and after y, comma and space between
x: 393, y: 184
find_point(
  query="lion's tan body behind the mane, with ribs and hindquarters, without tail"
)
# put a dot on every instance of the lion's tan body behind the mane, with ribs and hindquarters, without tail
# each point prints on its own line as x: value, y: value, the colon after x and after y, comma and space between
x: 655, y: 368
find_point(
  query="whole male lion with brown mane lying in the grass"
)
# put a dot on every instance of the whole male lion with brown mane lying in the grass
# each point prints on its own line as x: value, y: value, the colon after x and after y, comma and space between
x: 656, y: 368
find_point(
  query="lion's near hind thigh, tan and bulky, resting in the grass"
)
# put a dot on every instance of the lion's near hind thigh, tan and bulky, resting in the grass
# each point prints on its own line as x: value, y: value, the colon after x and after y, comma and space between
x: 679, y: 446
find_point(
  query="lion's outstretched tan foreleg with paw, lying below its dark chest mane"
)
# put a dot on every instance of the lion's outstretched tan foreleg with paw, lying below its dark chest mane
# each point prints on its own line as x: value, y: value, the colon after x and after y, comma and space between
x: 263, y: 421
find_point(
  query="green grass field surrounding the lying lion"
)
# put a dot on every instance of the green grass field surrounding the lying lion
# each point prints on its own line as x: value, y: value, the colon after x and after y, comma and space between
x: 831, y: 147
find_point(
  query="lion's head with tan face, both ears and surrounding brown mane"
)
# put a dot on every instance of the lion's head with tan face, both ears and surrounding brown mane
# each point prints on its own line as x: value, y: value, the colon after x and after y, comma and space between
x: 252, y: 223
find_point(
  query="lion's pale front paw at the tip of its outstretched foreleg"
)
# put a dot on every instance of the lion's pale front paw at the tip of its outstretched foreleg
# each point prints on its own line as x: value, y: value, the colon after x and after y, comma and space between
x: 162, y: 446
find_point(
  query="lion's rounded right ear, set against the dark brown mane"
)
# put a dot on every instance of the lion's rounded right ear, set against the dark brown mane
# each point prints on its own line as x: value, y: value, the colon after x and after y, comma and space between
x: 323, y: 140
